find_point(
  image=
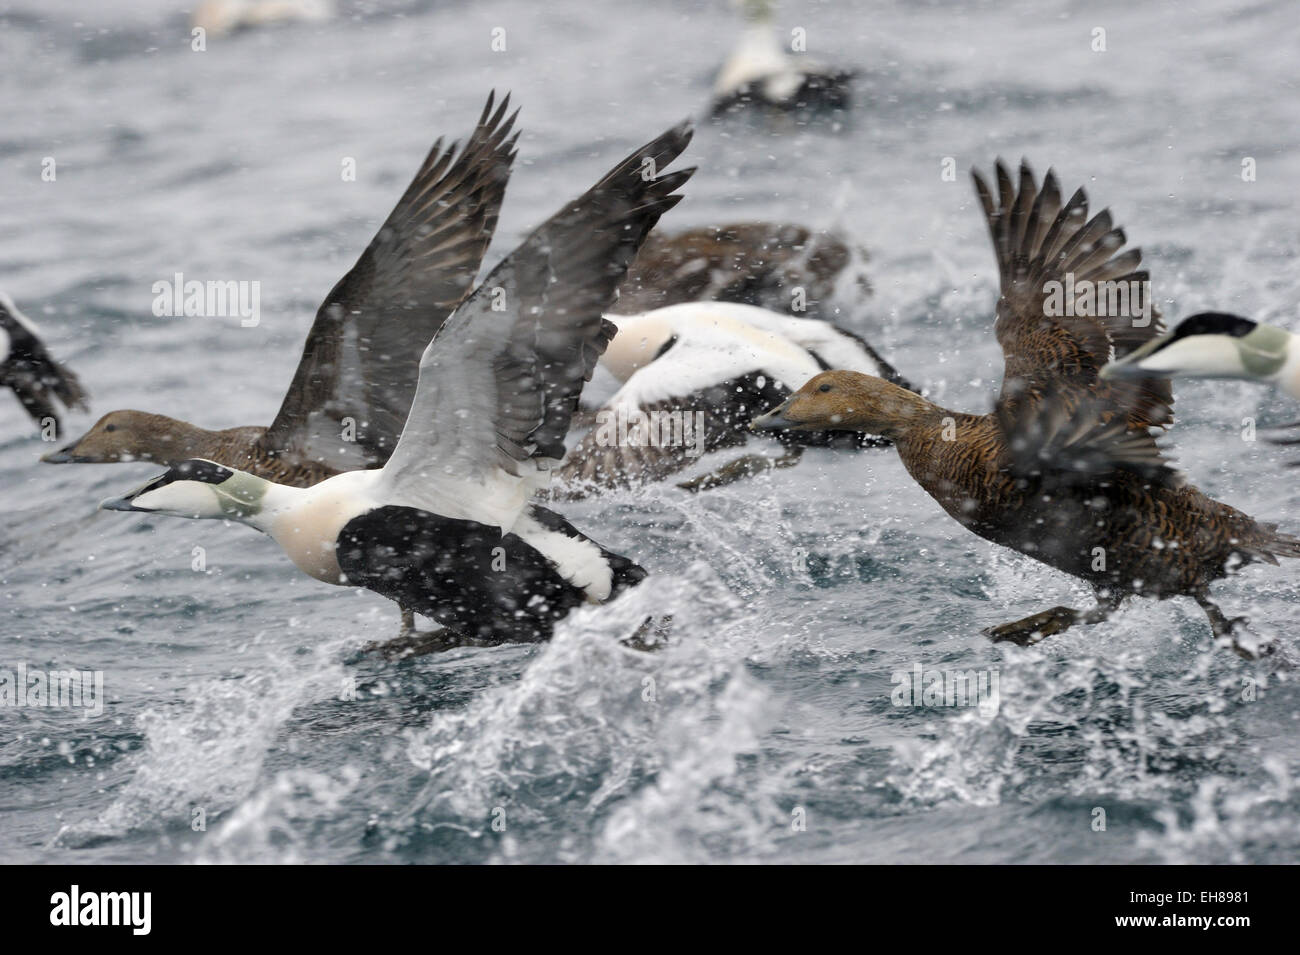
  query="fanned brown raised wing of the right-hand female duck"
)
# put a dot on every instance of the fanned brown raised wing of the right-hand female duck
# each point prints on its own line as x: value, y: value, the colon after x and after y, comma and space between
x: 1051, y: 258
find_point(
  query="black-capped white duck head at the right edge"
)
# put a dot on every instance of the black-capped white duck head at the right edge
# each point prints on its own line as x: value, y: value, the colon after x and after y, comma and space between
x: 1214, y: 345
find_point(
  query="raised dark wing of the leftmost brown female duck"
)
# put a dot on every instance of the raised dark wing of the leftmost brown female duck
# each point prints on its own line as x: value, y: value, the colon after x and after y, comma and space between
x: 359, y: 361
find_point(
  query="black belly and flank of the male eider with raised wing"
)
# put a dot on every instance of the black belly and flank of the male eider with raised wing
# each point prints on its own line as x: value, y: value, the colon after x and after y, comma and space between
x: 466, y: 575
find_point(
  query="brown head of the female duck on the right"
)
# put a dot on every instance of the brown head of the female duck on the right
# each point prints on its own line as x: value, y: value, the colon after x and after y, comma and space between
x: 847, y: 402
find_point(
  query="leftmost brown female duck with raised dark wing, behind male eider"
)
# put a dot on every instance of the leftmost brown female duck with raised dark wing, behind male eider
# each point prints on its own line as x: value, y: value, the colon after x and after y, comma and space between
x: 357, y: 363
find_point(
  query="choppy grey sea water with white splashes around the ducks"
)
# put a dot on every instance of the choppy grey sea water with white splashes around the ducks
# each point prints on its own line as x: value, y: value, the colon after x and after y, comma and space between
x: 768, y: 731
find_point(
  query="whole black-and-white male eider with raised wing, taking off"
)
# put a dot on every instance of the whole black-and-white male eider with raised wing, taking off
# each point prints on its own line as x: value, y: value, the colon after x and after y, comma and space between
x: 448, y: 526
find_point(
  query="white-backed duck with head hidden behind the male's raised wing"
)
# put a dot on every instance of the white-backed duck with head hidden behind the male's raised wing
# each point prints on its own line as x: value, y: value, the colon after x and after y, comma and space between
x: 694, y: 376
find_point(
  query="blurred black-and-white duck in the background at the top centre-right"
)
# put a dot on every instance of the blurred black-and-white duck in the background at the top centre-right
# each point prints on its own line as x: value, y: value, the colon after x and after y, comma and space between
x: 760, y: 73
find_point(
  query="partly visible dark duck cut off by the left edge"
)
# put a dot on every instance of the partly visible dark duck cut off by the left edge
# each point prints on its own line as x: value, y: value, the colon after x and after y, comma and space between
x: 38, y: 381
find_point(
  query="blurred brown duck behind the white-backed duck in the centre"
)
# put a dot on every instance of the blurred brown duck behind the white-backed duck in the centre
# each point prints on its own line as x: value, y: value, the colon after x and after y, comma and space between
x: 774, y: 266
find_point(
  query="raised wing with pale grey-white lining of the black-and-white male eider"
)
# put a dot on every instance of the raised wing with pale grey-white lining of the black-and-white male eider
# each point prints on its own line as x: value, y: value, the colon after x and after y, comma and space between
x: 501, y: 381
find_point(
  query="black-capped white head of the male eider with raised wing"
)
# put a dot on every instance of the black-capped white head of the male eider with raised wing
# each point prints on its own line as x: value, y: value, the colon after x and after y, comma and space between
x: 198, y: 489
